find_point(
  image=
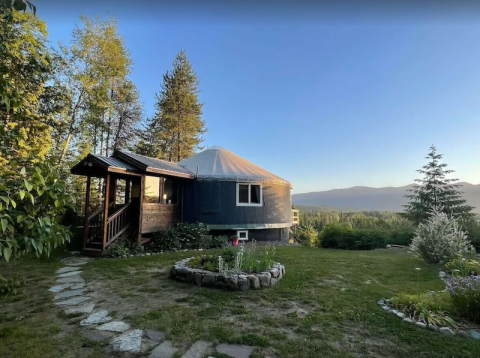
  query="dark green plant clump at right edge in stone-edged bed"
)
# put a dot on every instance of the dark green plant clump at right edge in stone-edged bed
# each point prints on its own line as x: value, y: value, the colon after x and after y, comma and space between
x: 465, y: 295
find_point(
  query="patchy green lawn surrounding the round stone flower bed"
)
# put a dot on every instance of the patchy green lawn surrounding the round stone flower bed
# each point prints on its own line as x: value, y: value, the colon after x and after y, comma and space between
x: 324, y: 307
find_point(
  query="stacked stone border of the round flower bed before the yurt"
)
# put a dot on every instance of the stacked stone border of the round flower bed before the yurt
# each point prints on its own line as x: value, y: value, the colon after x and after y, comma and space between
x: 243, y: 282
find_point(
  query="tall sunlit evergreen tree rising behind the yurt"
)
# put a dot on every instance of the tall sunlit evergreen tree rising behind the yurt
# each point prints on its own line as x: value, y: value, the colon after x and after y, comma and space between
x: 178, y: 126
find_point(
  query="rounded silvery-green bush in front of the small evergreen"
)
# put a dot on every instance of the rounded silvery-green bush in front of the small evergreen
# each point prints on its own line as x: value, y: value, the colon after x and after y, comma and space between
x: 440, y: 239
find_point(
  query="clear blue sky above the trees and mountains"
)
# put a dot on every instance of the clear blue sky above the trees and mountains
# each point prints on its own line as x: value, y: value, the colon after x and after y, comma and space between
x: 323, y: 97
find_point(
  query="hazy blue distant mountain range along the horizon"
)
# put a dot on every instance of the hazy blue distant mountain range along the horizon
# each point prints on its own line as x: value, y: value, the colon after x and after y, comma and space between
x: 360, y: 198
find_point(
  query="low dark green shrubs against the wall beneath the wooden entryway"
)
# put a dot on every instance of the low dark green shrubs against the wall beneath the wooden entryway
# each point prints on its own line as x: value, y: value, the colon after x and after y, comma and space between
x: 182, y: 236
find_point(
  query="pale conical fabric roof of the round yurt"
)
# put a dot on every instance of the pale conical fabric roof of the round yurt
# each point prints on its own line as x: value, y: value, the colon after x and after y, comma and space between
x: 221, y: 164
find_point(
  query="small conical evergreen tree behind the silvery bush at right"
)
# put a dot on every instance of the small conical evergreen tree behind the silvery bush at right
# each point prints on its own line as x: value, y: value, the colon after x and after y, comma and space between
x: 436, y: 192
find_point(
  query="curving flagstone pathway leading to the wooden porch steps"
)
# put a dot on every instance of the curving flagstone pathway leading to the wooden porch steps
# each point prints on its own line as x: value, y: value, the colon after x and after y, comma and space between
x: 71, y: 295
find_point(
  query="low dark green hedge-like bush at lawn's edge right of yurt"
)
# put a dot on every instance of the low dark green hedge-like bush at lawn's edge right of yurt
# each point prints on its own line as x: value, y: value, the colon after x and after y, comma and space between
x: 338, y: 236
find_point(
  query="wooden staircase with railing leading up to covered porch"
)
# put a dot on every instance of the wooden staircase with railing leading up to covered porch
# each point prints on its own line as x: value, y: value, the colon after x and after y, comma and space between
x: 101, y: 233
